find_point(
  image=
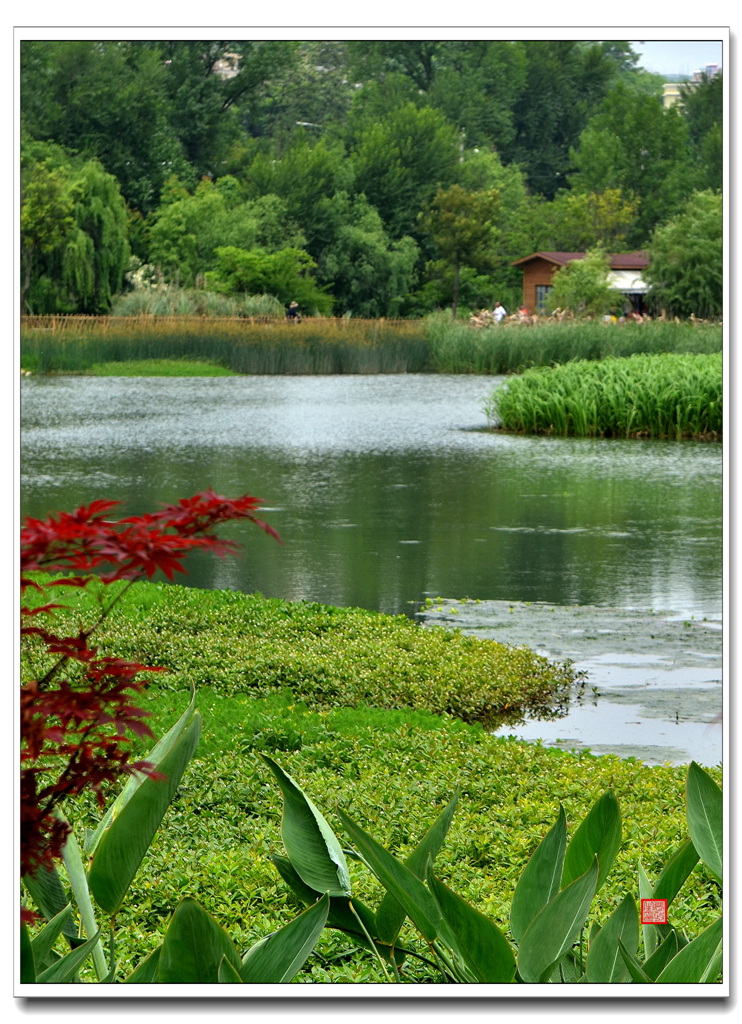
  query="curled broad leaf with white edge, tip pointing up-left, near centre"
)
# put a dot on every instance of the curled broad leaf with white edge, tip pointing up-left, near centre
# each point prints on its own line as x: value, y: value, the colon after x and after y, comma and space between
x: 313, y: 846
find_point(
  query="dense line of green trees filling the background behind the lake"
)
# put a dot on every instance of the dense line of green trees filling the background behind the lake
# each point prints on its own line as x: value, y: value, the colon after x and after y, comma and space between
x: 372, y: 179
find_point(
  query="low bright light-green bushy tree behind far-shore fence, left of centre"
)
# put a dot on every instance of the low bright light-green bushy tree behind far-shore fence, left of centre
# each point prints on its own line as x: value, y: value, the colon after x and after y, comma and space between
x: 286, y: 274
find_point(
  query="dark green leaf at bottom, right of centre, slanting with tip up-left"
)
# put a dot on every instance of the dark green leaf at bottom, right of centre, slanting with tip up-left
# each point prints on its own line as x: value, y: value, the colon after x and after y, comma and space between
x: 478, y: 942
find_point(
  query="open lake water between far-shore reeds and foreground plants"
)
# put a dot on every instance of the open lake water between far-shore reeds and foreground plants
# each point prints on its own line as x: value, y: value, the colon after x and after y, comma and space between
x: 388, y: 490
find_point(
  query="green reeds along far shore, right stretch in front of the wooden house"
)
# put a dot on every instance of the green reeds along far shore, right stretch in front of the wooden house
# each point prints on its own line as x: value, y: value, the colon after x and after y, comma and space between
x: 457, y: 348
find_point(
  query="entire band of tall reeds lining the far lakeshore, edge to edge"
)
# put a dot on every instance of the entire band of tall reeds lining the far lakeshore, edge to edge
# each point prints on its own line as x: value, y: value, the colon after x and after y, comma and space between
x: 330, y: 347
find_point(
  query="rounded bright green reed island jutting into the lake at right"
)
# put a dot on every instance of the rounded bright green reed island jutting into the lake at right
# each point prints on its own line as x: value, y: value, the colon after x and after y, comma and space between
x: 668, y: 396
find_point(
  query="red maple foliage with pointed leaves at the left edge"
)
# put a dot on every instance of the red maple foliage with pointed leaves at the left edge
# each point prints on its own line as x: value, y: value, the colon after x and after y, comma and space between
x: 78, y: 718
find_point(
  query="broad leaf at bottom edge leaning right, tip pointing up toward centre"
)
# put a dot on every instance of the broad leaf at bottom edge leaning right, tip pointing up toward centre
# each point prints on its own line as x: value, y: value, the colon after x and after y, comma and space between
x: 278, y: 959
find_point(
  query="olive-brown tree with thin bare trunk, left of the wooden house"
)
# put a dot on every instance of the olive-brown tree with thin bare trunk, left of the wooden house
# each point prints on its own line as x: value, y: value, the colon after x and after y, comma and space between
x: 463, y: 226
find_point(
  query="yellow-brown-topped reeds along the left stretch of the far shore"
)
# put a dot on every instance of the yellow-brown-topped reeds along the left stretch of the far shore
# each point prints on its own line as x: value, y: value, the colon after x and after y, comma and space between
x: 271, y: 347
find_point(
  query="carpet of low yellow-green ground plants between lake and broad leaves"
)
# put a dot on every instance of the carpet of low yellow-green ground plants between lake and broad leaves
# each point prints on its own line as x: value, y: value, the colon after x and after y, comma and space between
x: 351, y: 704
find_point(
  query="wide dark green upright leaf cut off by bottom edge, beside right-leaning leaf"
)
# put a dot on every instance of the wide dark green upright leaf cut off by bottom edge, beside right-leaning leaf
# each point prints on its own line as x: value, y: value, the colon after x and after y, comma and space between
x: 194, y: 948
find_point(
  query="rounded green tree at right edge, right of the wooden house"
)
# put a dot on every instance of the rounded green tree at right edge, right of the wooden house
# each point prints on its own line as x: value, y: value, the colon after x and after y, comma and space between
x: 686, y: 268
